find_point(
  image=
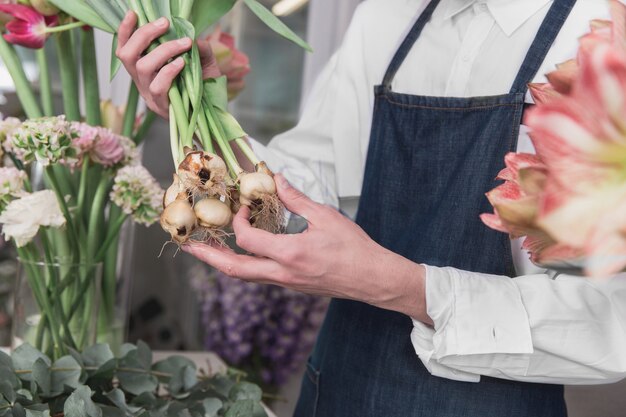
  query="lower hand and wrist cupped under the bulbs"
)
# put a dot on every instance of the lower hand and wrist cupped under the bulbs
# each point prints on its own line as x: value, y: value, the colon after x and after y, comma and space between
x: 334, y: 257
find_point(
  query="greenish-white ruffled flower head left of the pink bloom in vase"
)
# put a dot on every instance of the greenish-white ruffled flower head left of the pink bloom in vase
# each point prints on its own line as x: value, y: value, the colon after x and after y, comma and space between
x: 46, y: 140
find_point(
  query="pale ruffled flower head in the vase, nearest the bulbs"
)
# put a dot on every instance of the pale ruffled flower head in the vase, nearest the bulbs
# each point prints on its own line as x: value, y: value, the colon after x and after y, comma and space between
x: 137, y: 193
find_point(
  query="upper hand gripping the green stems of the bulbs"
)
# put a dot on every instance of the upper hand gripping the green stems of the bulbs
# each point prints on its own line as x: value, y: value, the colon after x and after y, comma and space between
x: 155, y: 72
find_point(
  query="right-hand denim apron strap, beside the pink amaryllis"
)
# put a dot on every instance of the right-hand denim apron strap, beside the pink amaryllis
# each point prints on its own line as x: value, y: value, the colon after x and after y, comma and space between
x: 549, y: 30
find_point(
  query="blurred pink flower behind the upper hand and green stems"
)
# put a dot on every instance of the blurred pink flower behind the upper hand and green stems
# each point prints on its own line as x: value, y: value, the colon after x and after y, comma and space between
x: 232, y: 63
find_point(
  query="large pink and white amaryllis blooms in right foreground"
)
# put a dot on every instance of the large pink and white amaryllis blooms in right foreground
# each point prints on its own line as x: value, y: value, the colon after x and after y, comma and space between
x: 569, y: 200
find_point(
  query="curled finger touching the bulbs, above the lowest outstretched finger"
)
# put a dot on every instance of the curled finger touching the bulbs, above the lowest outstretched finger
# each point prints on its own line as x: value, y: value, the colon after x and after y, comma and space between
x: 257, y: 241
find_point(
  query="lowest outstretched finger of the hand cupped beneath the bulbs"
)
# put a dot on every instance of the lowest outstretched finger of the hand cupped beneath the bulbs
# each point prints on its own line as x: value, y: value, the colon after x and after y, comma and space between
x: 243, y: 267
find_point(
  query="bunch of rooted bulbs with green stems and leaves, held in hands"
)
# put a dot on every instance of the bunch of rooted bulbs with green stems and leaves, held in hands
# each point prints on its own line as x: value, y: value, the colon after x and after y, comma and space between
x: 207, y: 188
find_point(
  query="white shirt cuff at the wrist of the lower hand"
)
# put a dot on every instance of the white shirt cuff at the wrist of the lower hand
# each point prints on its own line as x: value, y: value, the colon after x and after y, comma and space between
x: 476, y: 314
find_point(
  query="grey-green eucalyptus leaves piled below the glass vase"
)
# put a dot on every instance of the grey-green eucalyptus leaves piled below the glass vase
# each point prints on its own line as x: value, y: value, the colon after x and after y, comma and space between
x: 95, y: 383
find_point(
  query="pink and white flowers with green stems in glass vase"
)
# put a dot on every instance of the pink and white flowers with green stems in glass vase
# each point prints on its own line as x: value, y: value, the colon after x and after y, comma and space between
x: 93, y: 182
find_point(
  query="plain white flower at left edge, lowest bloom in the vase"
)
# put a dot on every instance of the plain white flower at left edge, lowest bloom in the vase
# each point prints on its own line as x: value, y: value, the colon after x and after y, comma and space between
x: 23, y: 217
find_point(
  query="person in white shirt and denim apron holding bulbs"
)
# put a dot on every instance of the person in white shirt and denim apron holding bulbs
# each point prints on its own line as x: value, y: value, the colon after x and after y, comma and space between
x: 433, y: 93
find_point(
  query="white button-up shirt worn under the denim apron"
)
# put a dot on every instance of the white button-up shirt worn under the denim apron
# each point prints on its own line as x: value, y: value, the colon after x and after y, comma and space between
x: 540, y: 326
